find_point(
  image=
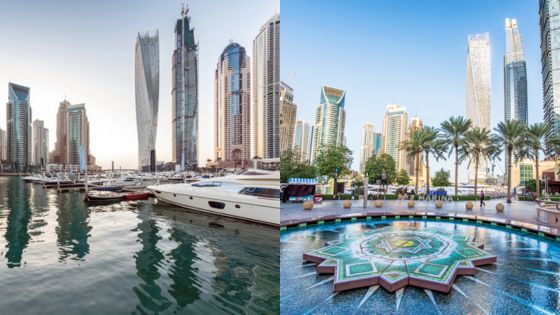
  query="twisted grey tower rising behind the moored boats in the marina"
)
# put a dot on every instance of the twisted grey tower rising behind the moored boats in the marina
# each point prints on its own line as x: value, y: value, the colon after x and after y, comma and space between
x: 147, y: 98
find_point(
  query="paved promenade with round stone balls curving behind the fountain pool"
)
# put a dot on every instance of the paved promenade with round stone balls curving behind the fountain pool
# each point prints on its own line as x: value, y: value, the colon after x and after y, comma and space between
x: 293, y: 213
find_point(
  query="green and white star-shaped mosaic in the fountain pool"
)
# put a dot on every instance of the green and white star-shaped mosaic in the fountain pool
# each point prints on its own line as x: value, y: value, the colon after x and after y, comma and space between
x: 394, y: 258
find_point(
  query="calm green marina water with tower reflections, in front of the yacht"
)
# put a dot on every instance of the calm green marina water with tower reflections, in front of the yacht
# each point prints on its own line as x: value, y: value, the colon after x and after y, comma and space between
x: 59, y: 256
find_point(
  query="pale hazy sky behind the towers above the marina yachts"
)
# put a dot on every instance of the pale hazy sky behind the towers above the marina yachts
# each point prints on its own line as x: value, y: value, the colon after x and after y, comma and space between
x: 85, y: 50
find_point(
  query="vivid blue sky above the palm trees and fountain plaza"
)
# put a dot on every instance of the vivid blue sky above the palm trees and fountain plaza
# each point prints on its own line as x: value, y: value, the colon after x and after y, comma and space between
x: 409, y: 52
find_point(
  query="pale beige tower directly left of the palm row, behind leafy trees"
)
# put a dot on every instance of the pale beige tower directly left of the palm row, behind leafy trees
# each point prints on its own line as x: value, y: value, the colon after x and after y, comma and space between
x: 394, y: 132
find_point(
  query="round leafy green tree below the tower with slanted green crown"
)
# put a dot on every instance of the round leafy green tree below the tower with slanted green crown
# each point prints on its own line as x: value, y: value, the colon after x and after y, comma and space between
x: 333, y: 161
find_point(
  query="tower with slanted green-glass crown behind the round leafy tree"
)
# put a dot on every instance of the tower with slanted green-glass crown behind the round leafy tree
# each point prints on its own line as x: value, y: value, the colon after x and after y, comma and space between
x: 330, y: 119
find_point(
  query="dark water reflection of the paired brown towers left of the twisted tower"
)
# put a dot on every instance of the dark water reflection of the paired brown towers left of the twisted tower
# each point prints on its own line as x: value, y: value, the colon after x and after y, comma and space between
x: 73, y: 228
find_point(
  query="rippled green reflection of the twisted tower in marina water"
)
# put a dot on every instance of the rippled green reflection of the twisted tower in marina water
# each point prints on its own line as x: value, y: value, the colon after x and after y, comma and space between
x: 148, y: 260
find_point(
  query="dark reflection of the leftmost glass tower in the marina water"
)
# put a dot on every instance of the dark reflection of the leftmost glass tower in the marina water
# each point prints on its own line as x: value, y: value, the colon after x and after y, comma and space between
x: 17, y: 236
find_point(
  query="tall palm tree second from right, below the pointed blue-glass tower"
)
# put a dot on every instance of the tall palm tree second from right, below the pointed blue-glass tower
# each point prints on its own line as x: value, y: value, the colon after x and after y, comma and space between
x: 510, y: 135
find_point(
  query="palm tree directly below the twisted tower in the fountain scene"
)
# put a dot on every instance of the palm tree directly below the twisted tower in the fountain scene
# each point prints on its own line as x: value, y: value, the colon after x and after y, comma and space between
x: 476, y: 148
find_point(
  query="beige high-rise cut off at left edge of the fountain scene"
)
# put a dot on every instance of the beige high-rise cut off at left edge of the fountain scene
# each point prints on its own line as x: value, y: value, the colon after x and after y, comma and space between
x: 287, y: 116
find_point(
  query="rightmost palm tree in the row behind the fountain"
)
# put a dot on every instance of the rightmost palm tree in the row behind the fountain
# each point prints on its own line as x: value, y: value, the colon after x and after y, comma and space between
x: 535, y: 142
